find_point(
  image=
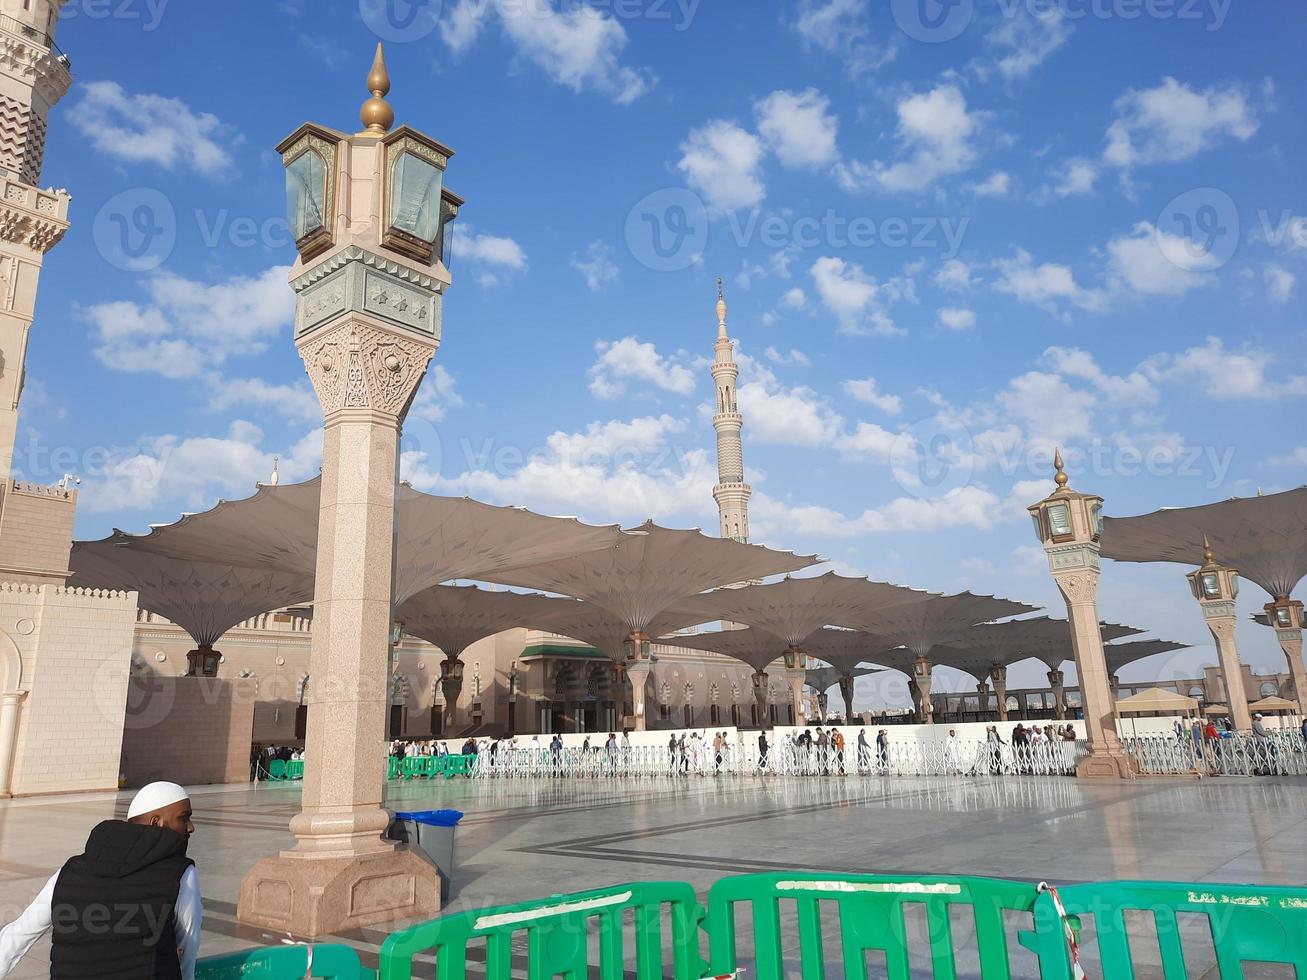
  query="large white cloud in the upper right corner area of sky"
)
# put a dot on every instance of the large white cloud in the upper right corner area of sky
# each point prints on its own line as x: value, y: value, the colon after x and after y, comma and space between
x: 1174, y: 122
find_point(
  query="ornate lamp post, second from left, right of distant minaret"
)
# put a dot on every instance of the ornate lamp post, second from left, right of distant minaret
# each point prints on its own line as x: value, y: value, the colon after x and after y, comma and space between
x: 1068, y: 525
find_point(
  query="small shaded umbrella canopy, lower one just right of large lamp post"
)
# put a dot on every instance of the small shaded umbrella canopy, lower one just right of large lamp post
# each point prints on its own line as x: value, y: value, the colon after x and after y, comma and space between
x: 454, y: 617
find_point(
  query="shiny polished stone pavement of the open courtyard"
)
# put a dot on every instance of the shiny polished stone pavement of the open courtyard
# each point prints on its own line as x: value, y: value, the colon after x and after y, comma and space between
x: 530, y: 840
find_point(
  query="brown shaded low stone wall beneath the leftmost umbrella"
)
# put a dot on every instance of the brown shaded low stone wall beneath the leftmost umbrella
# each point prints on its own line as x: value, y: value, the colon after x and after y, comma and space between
x: 189, y: 730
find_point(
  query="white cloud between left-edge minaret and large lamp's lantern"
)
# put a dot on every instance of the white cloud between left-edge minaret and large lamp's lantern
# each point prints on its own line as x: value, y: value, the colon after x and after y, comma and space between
x: 154, y: 130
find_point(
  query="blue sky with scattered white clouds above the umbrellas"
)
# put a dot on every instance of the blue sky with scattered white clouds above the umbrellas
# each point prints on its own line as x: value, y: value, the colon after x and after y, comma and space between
x: 963, y: 235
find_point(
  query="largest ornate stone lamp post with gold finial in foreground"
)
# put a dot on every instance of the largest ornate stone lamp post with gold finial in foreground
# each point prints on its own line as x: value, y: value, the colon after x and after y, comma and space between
x: 369, y: 215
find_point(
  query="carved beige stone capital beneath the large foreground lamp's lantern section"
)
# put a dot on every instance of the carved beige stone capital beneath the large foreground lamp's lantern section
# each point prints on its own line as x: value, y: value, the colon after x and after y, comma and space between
x: 356, y: 367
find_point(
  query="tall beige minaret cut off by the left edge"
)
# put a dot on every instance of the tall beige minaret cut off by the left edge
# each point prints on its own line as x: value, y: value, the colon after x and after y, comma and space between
x: 33, y: 78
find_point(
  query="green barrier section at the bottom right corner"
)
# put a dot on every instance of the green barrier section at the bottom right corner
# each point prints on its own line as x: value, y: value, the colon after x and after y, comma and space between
x: 1263, y: 924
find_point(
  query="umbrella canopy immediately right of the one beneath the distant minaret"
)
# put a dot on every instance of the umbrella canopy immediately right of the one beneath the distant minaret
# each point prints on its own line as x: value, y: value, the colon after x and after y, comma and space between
x: 795, y: 608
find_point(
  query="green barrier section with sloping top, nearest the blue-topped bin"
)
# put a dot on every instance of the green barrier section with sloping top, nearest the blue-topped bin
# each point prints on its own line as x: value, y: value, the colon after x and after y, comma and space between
x: 559, y: 932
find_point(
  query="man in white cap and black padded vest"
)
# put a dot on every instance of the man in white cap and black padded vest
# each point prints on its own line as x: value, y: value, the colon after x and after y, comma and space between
x: 129, y: 907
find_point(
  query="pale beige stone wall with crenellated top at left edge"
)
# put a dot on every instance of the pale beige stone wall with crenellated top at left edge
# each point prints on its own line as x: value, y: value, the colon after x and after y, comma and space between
x: 75, y: 646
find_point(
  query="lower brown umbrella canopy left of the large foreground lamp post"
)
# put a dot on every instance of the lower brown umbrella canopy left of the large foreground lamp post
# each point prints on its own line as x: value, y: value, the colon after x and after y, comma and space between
x: 206, y: 599
